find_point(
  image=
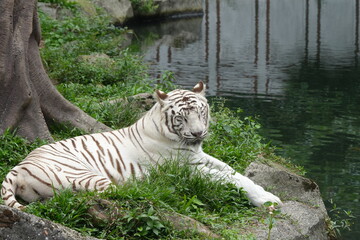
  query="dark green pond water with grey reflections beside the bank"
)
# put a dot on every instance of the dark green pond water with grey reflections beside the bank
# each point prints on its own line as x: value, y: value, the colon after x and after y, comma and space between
x: 293, y: 63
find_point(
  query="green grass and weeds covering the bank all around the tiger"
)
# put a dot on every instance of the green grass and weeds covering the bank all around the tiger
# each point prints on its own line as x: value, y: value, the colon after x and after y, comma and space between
x: 170, y: 188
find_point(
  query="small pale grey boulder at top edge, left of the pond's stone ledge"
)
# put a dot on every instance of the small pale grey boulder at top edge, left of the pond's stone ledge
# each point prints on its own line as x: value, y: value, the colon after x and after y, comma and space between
x: 118, y: 10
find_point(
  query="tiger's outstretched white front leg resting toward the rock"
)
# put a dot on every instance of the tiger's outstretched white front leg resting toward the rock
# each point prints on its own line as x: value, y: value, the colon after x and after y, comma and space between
x: 221, y: 171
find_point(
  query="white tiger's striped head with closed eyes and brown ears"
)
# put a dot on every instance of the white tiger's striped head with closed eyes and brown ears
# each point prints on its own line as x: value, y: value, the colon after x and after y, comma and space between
x: 184, y: 114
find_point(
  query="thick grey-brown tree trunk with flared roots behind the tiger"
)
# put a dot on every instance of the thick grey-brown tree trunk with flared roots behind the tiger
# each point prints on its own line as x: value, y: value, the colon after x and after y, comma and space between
x: 27, y: 96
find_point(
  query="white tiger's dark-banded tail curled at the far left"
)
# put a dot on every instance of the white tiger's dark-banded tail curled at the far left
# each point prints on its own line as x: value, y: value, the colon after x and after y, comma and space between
x: 8, y: 190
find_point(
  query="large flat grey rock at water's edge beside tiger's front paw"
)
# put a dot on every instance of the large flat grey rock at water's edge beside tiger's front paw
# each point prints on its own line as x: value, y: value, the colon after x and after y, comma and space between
x: 303, y: 213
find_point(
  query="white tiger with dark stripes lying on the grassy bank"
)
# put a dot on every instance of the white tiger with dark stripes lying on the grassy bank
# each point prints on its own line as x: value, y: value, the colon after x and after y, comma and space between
x: 176, y: 124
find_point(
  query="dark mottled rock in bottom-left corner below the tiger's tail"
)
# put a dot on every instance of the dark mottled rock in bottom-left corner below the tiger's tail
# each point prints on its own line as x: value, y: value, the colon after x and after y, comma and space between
x: 15, y: 225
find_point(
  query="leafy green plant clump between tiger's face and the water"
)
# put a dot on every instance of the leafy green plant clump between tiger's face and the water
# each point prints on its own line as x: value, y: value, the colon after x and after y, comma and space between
x: 232, y: 139
